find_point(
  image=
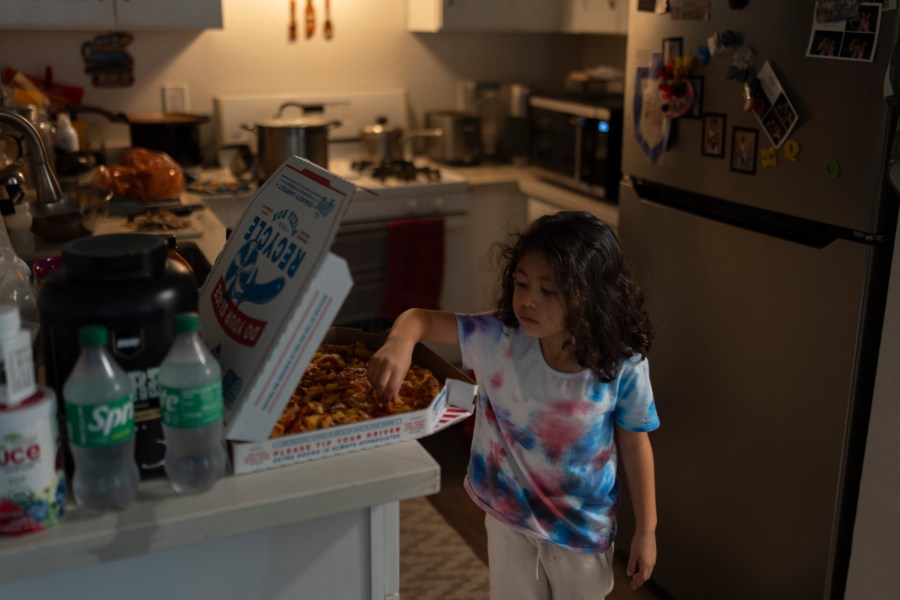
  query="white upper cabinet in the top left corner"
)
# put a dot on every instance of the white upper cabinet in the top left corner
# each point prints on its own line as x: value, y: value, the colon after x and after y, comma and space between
x: 133, y: 15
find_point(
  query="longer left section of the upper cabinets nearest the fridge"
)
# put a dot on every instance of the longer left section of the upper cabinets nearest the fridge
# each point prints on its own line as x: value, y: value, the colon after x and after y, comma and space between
x: 482, y: 15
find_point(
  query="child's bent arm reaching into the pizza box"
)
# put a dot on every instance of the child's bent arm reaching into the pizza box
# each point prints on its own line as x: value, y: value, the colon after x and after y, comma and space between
x: 388, y: 366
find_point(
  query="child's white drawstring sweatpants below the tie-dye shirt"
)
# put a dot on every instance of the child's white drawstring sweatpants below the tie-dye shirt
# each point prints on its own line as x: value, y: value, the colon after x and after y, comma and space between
x: 525, y: 568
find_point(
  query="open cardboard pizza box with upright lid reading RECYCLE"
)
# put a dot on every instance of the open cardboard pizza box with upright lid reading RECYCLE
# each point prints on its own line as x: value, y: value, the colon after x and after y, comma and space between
x: 267, y: 305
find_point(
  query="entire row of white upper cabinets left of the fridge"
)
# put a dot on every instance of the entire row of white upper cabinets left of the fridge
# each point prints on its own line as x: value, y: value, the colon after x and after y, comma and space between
x: 565, y: 16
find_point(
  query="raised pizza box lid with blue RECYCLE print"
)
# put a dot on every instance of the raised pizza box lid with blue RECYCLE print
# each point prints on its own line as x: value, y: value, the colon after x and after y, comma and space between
x: 273, y: 292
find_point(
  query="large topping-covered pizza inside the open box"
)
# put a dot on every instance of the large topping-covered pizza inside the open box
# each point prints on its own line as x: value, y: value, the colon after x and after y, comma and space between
x: 334, y: 390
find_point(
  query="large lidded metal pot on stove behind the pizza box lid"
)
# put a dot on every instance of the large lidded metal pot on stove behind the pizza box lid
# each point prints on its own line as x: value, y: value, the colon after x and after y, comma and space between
x: 280, y: 137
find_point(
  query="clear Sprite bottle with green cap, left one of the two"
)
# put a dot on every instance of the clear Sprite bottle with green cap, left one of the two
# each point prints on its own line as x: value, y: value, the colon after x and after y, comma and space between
x: 99, y: 404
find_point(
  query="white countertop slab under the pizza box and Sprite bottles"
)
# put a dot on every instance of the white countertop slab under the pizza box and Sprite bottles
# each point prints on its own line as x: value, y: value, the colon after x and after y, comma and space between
x: 160, y: 519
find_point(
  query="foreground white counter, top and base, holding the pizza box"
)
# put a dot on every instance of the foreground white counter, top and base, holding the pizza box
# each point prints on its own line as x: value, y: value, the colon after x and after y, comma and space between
x: 319, y: 502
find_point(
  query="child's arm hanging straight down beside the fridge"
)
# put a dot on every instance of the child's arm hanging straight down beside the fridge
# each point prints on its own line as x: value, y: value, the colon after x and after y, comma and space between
x: 637, y: 458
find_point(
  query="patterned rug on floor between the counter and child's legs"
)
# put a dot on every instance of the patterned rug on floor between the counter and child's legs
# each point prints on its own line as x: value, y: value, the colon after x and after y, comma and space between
x: 435, y: 562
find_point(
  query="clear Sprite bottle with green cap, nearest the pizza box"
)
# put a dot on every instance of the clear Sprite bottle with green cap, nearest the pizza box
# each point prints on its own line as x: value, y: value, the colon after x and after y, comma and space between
x: 190, y: 382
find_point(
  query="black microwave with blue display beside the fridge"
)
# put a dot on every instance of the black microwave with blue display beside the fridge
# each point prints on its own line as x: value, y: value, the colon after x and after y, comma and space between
x: 577, y: 143
